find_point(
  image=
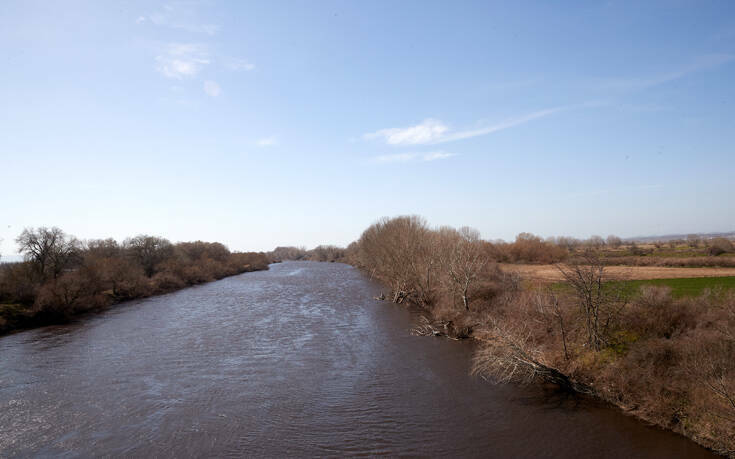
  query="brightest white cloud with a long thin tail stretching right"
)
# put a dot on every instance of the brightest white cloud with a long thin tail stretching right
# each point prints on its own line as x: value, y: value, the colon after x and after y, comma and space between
x: 432, y: 131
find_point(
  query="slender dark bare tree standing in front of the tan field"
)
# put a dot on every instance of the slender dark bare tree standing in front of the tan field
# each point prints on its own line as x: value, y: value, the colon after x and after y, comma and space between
x: 599, y: 303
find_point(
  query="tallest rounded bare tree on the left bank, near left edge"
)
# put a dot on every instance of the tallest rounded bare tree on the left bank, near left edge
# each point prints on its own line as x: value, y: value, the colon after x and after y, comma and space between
x: 49, y: 250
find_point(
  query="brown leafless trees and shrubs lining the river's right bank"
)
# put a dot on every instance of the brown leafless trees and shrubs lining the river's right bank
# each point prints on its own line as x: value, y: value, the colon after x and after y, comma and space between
x: 669, y: 361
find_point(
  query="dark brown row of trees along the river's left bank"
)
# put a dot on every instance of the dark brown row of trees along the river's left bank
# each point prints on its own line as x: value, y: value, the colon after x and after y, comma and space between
x: 63, y: 276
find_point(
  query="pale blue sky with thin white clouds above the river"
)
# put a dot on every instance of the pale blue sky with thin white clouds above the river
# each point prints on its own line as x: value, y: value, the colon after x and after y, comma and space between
x: 297, y: 123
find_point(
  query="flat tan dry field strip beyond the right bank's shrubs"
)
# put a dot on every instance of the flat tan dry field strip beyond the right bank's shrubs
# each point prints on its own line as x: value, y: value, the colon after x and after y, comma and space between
x: 550, y: 273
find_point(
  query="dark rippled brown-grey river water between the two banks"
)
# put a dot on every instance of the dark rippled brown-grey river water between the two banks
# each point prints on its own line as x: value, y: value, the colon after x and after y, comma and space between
x: 295, y: 361
